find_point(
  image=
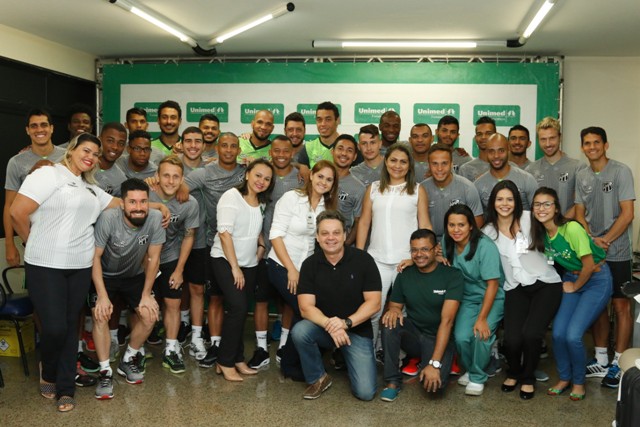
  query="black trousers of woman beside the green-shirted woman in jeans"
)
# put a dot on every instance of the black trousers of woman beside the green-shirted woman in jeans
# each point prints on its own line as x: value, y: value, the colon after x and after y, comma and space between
x: 528, y: 310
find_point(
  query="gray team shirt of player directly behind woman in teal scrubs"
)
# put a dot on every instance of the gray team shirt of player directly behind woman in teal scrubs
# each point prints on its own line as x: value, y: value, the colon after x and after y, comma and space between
x: 459, y: 191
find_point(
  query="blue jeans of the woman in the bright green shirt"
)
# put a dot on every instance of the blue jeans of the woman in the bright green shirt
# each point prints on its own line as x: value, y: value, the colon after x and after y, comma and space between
x: 578, y: 310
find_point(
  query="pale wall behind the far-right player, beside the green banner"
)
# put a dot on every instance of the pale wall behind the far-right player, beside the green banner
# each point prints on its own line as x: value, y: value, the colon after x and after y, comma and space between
x: 605, y: 92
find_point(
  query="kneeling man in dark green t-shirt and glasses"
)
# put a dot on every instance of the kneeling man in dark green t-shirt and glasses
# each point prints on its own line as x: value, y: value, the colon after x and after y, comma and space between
x: 431, y: 293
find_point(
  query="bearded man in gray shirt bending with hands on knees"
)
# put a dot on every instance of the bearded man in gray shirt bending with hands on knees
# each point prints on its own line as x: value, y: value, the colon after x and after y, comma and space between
x: 125, y: 264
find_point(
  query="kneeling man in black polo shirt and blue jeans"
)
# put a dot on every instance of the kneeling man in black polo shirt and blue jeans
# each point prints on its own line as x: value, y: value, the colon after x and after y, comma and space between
x: 338, y: 292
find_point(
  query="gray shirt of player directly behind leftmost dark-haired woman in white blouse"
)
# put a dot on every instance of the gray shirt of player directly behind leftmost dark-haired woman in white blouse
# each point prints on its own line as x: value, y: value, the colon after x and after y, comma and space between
x: 213, y: 181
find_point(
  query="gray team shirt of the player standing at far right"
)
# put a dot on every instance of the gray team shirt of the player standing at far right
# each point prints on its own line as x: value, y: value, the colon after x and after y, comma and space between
x: 601, y: 194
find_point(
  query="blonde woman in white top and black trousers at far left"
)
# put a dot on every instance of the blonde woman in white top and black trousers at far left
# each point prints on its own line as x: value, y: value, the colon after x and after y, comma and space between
x: 54, y: 213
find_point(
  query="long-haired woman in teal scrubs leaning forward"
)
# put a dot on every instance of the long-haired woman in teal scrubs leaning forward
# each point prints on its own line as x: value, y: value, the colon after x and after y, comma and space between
x: 481, y: 309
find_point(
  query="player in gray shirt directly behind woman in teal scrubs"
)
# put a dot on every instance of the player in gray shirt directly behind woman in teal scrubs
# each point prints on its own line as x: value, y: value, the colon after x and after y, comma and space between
x: 446, y: 189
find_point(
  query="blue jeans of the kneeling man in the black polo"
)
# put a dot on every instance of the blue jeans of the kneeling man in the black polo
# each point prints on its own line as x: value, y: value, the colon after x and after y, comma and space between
x: 361, y: 363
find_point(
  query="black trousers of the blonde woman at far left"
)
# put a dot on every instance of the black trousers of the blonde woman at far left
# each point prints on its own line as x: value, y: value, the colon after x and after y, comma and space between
x: 58, y: 296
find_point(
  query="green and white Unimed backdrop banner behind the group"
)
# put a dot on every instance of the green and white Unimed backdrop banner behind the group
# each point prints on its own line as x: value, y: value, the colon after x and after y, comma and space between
x: 420, y: 92
